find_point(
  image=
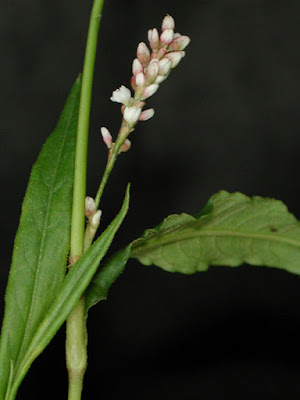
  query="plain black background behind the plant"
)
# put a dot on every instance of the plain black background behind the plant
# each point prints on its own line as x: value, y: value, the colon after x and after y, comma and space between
x: 226, y: 118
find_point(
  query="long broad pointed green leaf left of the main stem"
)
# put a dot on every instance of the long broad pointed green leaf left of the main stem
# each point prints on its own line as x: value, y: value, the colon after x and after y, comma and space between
x: 42, y: 242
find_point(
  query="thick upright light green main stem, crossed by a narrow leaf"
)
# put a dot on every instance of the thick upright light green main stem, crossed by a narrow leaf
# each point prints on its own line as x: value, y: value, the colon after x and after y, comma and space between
x: 76, y: 334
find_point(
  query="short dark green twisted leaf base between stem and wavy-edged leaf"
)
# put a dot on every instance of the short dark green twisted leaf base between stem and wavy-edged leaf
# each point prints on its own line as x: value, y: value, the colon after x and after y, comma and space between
x: 105, y: 277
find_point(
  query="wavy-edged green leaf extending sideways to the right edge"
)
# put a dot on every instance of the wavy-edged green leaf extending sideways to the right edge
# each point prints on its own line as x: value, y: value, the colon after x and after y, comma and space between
x: 233, y: 229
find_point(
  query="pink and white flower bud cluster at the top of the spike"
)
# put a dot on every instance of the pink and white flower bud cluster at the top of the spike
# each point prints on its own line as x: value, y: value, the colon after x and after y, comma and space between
x: 149, y: 70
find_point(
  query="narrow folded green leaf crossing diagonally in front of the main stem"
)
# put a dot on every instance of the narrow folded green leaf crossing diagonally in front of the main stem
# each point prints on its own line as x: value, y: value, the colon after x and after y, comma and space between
x: 75, y: 283
